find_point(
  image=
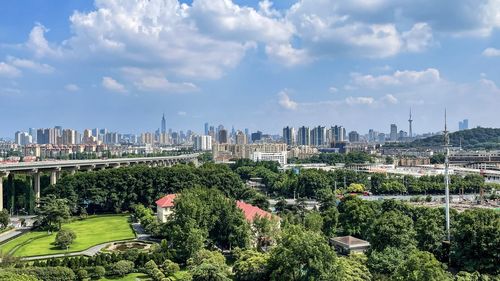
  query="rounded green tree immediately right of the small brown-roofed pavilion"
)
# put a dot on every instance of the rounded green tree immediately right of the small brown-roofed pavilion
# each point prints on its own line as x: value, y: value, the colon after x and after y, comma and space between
x: 392, y: 229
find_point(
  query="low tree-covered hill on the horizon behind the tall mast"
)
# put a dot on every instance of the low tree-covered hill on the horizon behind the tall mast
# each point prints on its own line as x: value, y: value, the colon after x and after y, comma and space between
x: 477, y: 138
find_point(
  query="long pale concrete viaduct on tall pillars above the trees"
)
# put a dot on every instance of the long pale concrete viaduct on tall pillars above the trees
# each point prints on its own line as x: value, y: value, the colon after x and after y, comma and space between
x: 56, y: 167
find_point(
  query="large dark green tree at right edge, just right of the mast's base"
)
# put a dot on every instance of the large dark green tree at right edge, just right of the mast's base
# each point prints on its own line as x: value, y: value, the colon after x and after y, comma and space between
x: 476, y: 240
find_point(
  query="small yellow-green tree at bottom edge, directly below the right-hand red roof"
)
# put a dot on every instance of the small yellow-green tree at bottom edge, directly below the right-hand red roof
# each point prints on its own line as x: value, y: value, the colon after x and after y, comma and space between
x: 251, y: 265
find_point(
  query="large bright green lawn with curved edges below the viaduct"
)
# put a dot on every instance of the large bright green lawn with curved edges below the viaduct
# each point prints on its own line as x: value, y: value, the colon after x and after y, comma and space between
x: 89, y: 232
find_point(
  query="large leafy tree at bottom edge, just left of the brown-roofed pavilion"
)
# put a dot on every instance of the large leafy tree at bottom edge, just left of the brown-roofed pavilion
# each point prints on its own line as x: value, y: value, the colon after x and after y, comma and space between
x: 302, y: 255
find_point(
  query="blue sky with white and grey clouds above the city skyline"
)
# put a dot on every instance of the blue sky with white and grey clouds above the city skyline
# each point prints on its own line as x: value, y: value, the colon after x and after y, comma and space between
x: 121, y: 64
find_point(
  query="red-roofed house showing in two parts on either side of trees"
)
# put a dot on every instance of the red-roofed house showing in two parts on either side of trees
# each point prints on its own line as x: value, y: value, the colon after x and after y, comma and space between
x: 164, y: 208
